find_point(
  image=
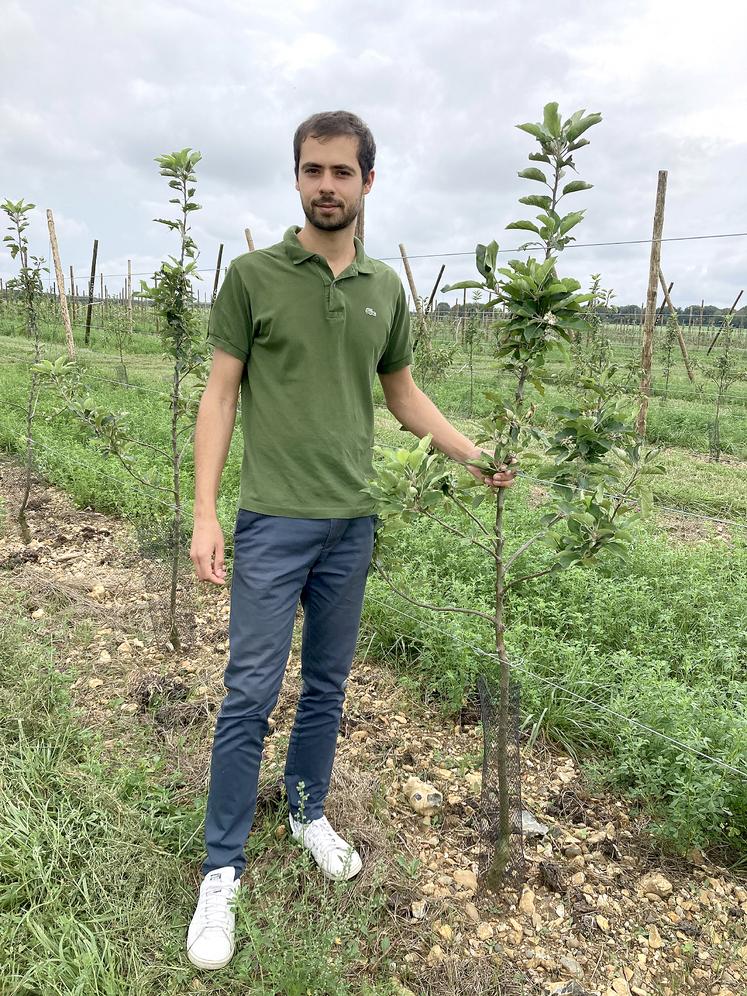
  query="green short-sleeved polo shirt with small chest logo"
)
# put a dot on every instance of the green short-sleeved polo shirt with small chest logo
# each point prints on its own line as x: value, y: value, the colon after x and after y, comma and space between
x: 312, y: 344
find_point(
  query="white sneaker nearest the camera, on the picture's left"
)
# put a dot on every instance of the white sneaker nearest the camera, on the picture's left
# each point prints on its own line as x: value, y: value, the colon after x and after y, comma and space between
x: 210, y: 941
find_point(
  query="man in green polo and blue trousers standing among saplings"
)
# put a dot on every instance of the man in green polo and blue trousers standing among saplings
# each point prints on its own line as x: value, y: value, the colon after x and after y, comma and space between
x: 300, y: 328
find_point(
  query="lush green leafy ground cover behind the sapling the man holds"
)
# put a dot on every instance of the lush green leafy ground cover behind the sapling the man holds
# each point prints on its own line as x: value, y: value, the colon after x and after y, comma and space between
x: 662, y: 642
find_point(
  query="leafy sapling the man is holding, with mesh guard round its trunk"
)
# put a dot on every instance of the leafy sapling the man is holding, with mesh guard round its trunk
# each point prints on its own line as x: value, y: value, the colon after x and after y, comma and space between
x: 592, y: 460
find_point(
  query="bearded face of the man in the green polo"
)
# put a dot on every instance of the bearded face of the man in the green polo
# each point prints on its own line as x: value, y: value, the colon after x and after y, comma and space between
x: 330, y: 182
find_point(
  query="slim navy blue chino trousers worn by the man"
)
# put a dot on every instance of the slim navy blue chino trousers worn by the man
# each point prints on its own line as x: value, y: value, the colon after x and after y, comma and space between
x: 277, y: 561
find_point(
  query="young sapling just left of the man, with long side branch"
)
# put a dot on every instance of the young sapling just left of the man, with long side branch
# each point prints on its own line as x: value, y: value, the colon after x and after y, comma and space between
x: 183, y: 341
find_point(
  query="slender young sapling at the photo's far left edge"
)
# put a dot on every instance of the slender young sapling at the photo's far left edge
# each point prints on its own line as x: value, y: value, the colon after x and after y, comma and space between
x: 28, y: 286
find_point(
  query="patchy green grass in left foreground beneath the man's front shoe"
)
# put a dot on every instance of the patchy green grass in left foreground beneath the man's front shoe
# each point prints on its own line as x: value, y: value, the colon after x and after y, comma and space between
x: 98, y: 861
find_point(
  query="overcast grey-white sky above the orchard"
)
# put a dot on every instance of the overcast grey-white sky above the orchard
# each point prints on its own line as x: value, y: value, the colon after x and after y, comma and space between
x: 91, y: 92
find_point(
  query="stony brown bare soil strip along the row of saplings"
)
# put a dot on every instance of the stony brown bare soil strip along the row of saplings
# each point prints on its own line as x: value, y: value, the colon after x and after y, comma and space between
x: 591, y: 918
